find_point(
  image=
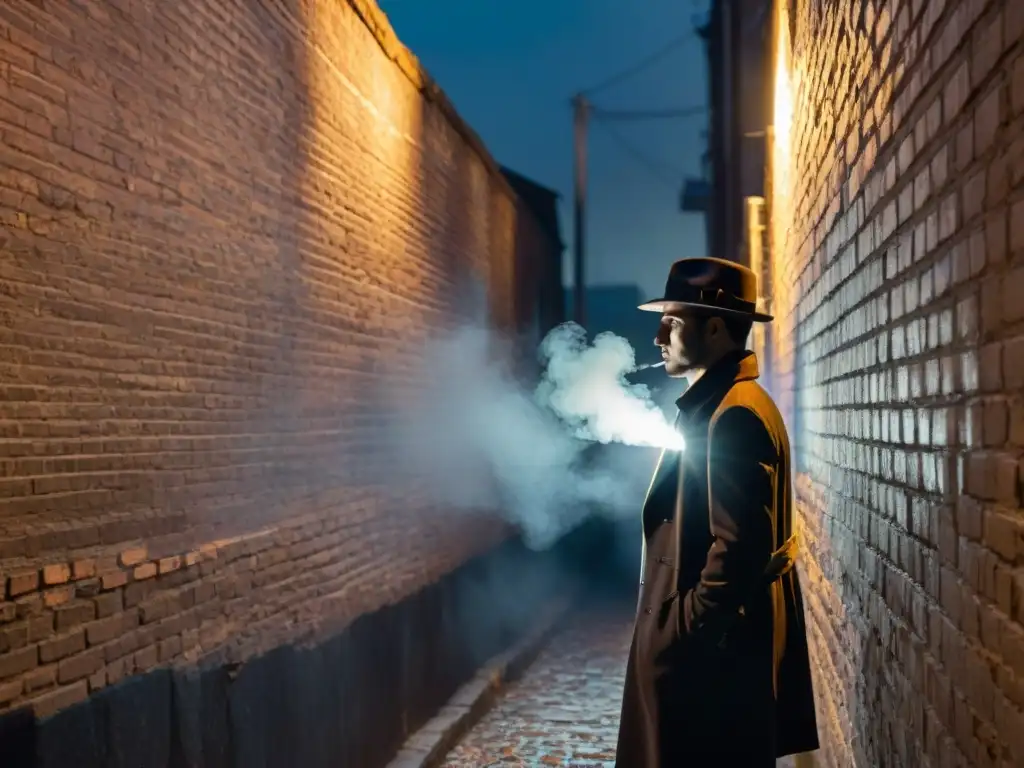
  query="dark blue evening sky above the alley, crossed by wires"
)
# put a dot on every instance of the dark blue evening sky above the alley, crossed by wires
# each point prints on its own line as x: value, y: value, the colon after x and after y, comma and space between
x: 510, y: 69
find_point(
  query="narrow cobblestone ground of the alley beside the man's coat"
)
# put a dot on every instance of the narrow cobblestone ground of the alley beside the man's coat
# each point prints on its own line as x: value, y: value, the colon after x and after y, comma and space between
x: 565, y: 712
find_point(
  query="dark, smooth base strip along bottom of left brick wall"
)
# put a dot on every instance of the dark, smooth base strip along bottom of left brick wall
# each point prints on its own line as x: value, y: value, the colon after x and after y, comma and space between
x: 350, y: 702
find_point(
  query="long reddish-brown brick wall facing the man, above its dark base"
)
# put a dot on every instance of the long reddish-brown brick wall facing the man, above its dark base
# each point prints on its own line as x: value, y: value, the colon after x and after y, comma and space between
x: 227, y: 224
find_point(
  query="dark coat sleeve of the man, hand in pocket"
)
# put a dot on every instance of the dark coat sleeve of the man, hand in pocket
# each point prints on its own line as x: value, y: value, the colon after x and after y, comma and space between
x: 742, y: 481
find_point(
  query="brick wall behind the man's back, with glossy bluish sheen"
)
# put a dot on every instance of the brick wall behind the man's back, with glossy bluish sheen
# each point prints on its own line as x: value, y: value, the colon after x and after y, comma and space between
x: 900, y: 354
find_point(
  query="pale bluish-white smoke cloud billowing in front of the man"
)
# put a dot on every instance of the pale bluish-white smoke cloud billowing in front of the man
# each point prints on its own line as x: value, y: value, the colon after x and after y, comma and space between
x: 474, y: 437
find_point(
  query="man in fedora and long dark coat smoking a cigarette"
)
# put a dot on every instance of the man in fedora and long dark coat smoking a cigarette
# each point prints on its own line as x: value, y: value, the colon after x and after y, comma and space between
x: 718, y: 673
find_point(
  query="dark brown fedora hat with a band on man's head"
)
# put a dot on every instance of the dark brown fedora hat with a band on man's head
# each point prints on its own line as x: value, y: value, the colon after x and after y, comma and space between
x: 713, y: 285
